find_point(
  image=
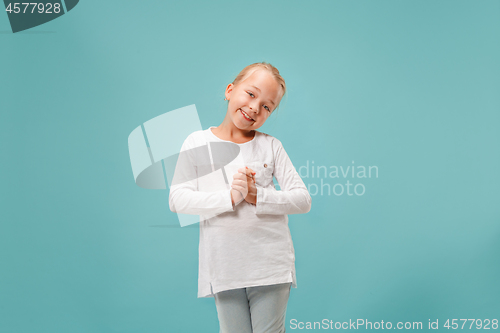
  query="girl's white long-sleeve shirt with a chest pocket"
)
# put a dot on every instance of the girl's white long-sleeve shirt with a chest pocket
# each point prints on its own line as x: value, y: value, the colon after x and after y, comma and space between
x: 245, y: 245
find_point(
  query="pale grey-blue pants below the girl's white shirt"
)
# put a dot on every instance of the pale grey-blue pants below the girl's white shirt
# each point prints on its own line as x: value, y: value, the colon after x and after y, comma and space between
x: 259, y: 309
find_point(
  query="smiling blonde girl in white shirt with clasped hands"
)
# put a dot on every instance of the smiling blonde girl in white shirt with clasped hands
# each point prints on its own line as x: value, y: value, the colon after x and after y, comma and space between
x: 247, y: 260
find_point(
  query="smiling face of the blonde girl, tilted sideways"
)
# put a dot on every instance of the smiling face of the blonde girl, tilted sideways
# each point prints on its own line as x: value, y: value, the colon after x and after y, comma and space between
x: 252, y: 100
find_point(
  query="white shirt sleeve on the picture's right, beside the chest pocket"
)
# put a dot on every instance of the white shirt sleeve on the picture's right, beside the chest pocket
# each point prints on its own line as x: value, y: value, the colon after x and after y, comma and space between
x: 293, y: 198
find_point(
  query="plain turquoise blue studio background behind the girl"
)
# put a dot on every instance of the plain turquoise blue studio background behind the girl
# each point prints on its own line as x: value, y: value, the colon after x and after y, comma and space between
x: 411, y: 87
